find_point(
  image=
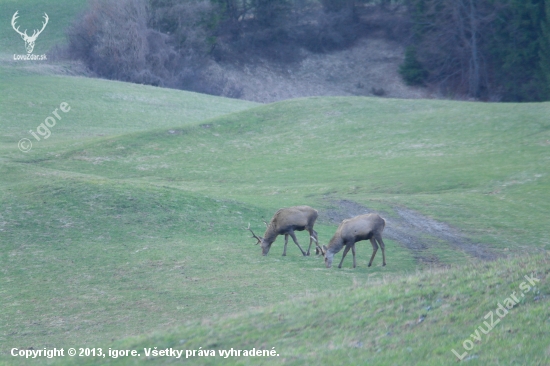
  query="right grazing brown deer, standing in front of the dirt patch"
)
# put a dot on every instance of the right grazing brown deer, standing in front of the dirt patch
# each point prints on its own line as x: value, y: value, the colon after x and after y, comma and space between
x: 350, y: 231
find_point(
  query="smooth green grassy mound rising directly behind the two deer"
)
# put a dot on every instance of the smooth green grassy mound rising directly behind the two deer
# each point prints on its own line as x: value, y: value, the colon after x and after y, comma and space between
x: 480, y: 167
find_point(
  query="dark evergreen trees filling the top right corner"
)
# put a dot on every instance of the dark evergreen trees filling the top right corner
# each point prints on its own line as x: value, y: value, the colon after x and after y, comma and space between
x: 484, y: 49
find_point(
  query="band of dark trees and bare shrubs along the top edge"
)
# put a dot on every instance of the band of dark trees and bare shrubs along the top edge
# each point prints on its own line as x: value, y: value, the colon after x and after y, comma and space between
x: 497, y: 50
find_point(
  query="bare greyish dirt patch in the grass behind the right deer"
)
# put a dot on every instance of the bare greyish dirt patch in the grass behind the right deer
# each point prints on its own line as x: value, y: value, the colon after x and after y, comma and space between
x: 411, y: 229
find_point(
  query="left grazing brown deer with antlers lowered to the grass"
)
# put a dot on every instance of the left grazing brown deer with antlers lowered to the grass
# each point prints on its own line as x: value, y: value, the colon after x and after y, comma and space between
x: 285, y: 222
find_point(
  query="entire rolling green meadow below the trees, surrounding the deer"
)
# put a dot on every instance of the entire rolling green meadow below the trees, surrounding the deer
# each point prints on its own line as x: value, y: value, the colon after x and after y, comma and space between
x: 124, y: 229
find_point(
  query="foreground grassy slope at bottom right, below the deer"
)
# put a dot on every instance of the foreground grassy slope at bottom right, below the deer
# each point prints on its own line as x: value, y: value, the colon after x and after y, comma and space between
x: 395, y: 320
